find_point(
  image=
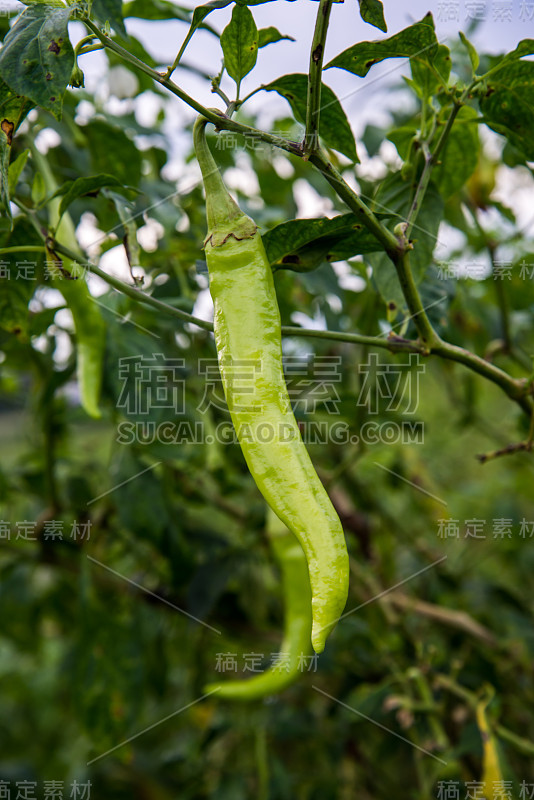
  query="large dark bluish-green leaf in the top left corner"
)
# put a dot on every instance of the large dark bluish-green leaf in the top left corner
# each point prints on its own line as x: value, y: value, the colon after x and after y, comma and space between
x: 37, y: 58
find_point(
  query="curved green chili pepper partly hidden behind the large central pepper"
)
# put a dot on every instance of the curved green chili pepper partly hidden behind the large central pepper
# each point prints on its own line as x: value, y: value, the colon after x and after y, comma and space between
x: 295, y: 648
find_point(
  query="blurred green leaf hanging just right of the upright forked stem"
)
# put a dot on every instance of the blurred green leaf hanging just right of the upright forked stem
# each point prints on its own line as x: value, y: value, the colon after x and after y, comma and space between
x: 460, y: 155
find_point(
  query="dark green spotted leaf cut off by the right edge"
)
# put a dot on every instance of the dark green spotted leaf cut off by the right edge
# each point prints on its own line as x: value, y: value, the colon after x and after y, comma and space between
x: 508, y: 105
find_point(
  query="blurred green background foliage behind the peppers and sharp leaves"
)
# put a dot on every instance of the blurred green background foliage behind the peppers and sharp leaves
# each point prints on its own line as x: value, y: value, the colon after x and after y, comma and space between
x: 95, y: 564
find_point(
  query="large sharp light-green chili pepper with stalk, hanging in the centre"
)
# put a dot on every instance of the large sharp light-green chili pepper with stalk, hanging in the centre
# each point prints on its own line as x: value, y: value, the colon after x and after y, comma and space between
x: 248, y: 339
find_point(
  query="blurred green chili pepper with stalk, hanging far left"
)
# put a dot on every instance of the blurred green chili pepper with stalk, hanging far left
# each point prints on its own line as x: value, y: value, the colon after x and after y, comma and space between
x: 89, y: 326
